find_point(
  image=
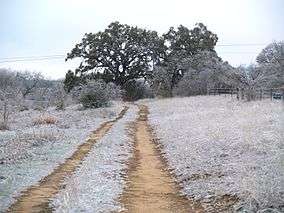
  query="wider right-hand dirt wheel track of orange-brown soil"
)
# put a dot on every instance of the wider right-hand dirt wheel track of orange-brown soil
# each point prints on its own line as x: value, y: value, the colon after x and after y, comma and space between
x: 150, y: 186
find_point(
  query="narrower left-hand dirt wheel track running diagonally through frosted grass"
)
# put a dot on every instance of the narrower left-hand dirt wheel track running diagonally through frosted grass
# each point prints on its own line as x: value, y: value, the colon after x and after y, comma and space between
x: 36, y: 198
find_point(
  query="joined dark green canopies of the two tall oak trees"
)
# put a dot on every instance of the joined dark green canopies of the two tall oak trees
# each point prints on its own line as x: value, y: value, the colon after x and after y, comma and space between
x: 122, y: 53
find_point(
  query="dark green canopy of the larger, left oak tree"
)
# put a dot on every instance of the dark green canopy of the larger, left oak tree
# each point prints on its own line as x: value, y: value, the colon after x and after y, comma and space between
x: 119, y: 54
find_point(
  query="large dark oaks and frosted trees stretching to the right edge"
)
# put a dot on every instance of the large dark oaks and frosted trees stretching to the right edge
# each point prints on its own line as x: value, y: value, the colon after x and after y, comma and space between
x: 180, y: 62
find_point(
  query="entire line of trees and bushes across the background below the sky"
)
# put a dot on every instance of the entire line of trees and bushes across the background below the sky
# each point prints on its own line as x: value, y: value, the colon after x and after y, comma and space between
x: 133, y: 63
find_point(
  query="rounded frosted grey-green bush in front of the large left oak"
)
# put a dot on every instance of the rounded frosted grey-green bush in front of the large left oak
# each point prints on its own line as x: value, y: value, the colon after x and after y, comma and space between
x: 96, y: 93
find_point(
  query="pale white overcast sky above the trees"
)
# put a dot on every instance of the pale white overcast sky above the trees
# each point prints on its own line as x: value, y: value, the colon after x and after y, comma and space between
x: 53, y: 27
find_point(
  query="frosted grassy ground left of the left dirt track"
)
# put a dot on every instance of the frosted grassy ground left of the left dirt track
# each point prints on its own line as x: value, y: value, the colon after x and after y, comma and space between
x: 29, y: 151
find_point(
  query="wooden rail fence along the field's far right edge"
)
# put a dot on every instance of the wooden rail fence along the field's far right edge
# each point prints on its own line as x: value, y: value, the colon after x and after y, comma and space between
x: 249, y: 94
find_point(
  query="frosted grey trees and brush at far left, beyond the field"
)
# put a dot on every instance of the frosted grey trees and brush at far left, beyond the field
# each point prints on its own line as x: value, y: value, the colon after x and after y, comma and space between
x: 24, y: 90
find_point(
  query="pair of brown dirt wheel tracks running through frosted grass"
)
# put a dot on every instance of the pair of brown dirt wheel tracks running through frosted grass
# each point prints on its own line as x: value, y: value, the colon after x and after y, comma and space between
x: 150, y: 187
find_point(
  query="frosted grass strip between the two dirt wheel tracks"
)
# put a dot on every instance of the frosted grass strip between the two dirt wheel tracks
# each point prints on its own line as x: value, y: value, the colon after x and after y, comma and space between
x: 98, y: 183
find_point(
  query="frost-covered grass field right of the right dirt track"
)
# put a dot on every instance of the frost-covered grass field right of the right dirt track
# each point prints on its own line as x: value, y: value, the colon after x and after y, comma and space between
x: 220, y: 146
